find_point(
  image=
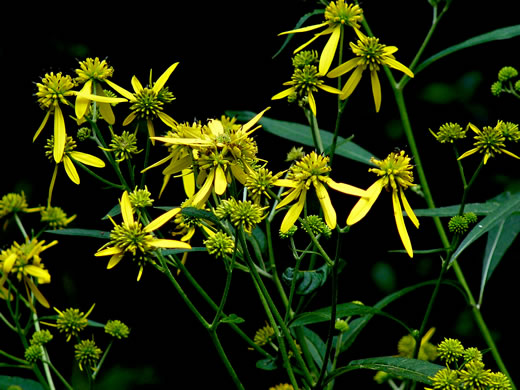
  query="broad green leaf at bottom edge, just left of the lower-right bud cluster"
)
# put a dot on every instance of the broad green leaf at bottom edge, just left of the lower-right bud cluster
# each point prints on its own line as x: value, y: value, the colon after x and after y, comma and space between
x: 413, y: 369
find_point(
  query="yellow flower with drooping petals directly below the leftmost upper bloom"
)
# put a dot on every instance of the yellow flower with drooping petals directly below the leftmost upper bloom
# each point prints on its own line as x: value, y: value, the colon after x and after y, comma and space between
x: 68, y: 158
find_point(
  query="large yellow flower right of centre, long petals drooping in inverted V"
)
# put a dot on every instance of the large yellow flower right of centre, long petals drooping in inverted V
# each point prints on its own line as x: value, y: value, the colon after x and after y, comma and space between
x: 396, y: 176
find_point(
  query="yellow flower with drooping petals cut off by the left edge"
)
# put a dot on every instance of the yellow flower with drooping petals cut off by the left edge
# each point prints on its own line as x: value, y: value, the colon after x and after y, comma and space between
x: 24, y: 261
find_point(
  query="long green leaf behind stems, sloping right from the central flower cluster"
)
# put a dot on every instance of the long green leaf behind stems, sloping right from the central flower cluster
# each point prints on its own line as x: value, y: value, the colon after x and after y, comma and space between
x: 301, y: 134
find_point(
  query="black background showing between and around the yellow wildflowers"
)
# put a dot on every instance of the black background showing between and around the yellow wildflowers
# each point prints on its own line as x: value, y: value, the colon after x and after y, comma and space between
x: 225, y: 52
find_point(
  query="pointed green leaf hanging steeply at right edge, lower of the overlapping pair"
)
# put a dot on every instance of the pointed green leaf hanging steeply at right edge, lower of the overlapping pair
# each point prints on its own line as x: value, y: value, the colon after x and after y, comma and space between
x: 499, y: 240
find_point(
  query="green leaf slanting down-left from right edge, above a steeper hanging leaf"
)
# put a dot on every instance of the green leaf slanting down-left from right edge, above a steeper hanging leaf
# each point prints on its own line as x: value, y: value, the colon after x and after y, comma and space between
x: 505, y: 209
